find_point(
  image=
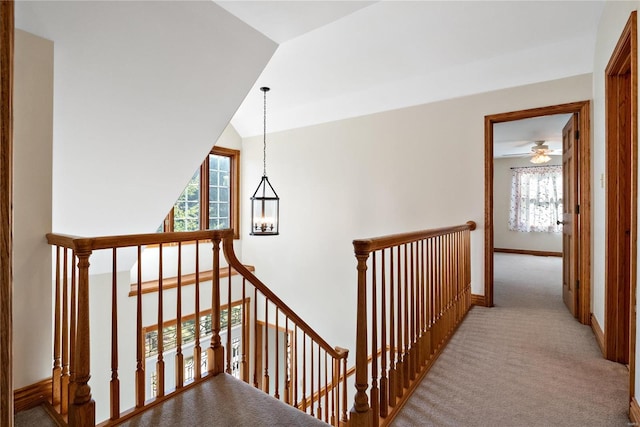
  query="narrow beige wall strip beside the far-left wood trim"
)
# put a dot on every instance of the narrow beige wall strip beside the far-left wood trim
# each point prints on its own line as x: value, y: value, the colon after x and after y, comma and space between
x: 33, y: 103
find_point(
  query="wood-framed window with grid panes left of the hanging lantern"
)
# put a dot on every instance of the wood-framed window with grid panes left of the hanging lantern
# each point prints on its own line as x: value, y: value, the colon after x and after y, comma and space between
x: 210, y: 201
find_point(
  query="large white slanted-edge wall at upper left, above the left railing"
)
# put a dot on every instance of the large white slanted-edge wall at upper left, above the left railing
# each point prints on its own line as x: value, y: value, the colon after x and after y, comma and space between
x: 135, y: 83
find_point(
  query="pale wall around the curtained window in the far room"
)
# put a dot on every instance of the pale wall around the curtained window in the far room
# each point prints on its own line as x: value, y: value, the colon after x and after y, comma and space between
x: 508, y: 239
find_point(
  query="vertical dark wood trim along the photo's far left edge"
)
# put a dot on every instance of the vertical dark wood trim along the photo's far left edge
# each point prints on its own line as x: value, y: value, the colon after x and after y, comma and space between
x: 6, y: 210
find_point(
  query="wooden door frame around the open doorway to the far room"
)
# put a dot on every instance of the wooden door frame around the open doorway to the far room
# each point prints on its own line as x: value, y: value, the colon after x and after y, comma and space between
x: 583, y: 156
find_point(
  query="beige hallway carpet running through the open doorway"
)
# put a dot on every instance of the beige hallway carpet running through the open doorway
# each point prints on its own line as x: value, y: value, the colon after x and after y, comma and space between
x: 525, y: 362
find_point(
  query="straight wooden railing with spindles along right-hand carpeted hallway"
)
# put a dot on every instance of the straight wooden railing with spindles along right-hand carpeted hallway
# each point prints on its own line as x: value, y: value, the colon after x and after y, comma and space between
x: 413, y: 291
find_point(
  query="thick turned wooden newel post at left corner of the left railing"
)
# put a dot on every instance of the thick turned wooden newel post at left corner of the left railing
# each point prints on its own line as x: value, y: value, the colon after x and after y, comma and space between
x: 82, y: 411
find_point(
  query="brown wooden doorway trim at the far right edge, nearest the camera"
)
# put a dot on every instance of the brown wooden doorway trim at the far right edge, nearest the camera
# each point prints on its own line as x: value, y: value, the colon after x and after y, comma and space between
x: 621, y: 89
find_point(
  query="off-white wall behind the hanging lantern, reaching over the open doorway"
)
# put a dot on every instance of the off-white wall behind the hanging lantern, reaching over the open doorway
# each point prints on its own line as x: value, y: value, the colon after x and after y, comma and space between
x: 369, y: 176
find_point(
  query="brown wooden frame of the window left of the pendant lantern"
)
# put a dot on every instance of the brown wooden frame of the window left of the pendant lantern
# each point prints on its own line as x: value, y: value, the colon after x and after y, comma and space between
x: 234, y: 192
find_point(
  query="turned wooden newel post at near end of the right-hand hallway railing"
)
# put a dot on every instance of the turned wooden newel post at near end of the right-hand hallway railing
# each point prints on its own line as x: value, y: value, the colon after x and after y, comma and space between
x: 360, y: 414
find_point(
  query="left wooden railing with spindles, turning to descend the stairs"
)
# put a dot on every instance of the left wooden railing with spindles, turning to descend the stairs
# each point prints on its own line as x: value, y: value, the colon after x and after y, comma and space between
x: 241, y: 325
